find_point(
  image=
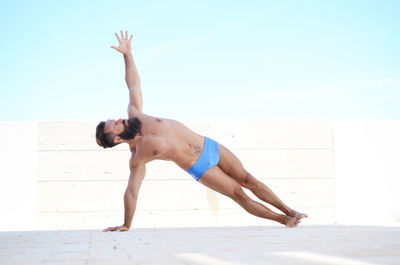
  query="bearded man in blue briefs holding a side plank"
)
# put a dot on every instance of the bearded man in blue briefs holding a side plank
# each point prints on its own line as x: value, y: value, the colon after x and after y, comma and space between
x: 209, y: 162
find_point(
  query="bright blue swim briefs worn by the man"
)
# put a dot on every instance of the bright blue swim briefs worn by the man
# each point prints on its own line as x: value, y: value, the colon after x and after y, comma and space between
x: 208, y: 158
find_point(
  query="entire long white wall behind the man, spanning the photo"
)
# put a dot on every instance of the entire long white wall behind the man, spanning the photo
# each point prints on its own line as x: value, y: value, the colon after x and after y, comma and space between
x: 335, y: 171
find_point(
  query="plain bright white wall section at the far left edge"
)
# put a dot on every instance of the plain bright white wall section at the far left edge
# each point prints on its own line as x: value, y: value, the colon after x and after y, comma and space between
x: 17, y: 176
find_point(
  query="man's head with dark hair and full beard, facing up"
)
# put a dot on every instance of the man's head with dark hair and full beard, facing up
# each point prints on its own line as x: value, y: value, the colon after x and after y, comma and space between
x: 113, y: 132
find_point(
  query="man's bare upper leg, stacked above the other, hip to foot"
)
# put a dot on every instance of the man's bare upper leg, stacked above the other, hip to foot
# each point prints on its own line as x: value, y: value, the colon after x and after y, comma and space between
x: 232, y: 166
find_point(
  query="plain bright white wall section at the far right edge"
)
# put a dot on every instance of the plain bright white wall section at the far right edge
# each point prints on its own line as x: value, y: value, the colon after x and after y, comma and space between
x: 367, y: 171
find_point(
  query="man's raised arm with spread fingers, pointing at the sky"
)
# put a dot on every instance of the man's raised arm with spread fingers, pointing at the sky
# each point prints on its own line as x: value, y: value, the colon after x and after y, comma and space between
x: 131, y: 74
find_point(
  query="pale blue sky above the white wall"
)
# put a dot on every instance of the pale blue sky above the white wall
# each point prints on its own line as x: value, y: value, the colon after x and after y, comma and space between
x: 202, y: 59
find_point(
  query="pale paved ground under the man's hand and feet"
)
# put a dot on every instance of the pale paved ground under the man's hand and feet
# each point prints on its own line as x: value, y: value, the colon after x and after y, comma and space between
x: 319, y: 245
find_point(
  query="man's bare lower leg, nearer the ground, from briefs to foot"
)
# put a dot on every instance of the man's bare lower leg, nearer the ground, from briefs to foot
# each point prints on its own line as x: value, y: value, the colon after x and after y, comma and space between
x: 217, y: 180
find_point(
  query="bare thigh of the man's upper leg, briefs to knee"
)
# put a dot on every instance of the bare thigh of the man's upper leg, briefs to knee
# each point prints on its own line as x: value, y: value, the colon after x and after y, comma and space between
x: 231, y: 165
